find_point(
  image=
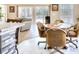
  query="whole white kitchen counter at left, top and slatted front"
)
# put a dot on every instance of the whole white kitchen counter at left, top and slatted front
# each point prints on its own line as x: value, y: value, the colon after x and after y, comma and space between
x: 8, y: 37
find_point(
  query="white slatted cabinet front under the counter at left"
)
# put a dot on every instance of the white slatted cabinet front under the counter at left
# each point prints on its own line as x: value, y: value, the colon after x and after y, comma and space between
x: 8, y: 41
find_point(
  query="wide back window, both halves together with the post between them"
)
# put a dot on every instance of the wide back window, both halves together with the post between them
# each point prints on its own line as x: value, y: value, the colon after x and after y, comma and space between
x: 37, y: 13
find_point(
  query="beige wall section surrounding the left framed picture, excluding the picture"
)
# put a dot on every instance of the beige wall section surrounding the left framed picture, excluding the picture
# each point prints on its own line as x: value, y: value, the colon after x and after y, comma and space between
x: 12, y: 15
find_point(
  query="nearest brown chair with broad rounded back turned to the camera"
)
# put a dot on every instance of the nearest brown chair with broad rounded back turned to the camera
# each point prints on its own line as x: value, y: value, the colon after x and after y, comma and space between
x: 56, y: 39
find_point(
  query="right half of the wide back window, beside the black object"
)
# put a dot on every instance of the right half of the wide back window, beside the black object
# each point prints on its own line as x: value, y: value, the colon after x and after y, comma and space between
x: 41, y: 12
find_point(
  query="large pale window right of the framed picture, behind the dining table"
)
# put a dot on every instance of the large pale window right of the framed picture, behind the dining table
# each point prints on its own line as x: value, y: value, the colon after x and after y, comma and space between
x: 66, y: 12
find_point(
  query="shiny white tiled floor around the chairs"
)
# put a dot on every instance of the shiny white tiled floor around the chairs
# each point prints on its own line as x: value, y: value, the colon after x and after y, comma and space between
x: 30, y: 46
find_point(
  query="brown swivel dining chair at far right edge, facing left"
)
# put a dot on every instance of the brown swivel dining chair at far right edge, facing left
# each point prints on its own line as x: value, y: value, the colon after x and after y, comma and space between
x: 73, y: 33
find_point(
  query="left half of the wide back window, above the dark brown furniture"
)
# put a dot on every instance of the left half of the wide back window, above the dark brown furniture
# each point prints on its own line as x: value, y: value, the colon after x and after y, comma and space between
x: 24, y: 12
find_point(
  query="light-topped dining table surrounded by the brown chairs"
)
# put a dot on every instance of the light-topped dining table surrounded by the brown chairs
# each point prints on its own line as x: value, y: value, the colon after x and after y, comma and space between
x: 63, y: 26
